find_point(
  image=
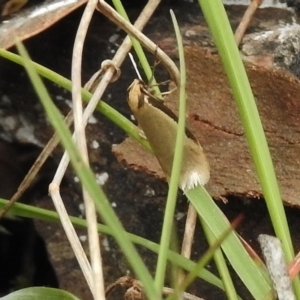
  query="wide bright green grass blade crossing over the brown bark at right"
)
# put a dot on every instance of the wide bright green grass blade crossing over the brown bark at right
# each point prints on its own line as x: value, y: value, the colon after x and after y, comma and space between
x: 217, y: 20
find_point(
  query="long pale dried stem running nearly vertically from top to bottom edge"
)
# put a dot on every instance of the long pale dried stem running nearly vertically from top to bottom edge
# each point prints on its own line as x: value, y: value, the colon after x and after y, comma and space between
x: 79, y: 128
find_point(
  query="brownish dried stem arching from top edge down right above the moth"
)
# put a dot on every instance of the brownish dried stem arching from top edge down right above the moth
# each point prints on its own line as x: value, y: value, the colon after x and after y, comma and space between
x: 111, y: 14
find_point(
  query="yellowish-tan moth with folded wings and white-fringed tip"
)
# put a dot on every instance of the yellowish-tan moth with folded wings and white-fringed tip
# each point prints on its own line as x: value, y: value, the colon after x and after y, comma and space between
x: 159, y: 125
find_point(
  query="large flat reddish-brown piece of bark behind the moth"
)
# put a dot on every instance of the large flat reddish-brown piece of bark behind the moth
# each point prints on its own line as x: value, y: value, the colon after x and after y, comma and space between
x: 214, y: 120
